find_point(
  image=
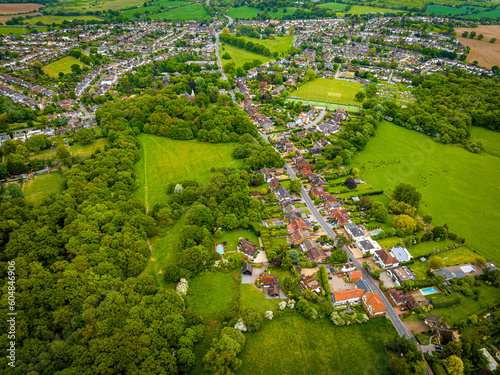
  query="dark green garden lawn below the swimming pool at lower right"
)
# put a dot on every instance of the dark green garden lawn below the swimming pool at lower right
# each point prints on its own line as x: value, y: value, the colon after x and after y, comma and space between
x: 468, y: 306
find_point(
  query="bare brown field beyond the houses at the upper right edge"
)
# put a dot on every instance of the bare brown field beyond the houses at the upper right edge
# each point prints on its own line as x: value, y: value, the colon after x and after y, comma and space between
x: 487, y: 54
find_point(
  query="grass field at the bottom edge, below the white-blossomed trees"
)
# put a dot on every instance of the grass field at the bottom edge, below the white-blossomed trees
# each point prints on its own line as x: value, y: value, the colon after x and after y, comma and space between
x: 285, y: 346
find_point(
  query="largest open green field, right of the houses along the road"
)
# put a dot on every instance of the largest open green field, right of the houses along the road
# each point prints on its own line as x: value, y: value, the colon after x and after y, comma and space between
x: 458, y: 188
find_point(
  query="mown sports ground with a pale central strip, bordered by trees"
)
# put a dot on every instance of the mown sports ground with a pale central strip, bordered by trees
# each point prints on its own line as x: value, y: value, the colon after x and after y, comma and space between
x: 328, y: 90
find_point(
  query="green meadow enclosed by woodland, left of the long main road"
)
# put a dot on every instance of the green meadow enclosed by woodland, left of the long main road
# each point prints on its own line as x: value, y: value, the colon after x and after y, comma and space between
x: 164, y: 160
